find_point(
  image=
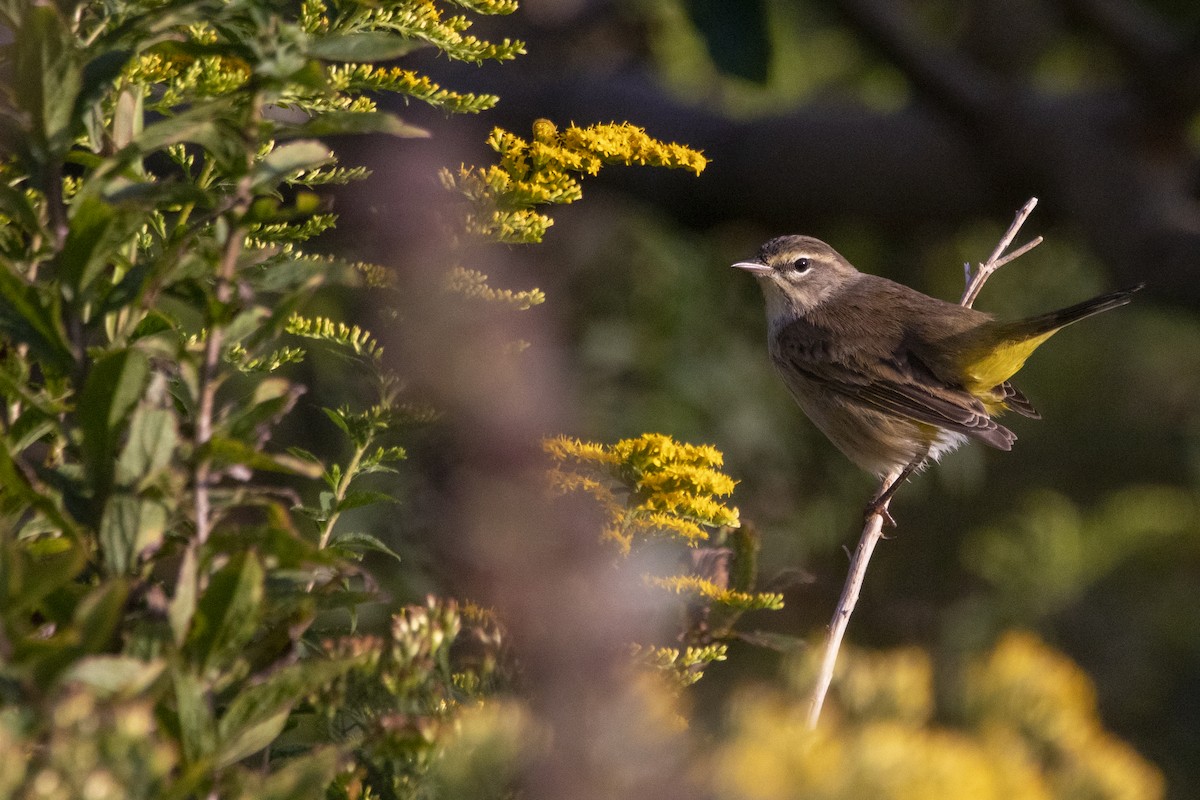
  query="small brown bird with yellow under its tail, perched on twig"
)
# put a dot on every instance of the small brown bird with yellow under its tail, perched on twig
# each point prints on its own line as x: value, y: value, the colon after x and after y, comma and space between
x: 895, y: 378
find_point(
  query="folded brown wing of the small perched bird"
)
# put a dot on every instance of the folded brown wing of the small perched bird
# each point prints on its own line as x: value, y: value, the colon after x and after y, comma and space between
x: 886, y: 376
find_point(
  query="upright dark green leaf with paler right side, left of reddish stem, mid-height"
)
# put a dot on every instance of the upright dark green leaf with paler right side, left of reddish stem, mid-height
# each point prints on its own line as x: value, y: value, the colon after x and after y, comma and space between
x: 111, y: 393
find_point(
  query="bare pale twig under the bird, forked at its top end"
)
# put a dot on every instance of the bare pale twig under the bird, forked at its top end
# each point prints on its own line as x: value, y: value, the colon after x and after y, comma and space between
x: 874, y: 528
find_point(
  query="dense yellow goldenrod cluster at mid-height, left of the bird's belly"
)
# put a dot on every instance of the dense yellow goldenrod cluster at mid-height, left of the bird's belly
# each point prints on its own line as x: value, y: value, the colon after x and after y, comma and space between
x: 647, y: 485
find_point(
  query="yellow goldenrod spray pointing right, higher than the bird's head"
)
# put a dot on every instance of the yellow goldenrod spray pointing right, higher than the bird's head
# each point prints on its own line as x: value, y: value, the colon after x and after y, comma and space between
x: 501, y: 199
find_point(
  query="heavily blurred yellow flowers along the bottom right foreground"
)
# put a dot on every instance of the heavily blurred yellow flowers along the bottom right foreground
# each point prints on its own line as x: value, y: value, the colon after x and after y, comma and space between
x: 1030, y: 732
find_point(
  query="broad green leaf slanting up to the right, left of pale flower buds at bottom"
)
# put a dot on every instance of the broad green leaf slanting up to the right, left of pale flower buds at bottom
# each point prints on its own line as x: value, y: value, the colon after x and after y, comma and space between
x: 257, y: 715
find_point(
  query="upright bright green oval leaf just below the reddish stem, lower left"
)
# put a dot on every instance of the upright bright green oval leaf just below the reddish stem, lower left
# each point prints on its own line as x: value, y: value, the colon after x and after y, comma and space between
x: 227, y: 612
